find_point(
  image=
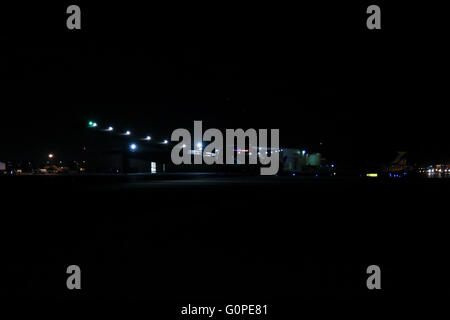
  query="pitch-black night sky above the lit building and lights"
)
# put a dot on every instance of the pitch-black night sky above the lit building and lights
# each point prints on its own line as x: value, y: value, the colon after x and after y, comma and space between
x: 313, y: 71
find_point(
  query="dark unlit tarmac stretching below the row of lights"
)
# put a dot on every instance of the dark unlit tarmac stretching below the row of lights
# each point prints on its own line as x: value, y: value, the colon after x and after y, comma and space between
x: 214, y: 238
